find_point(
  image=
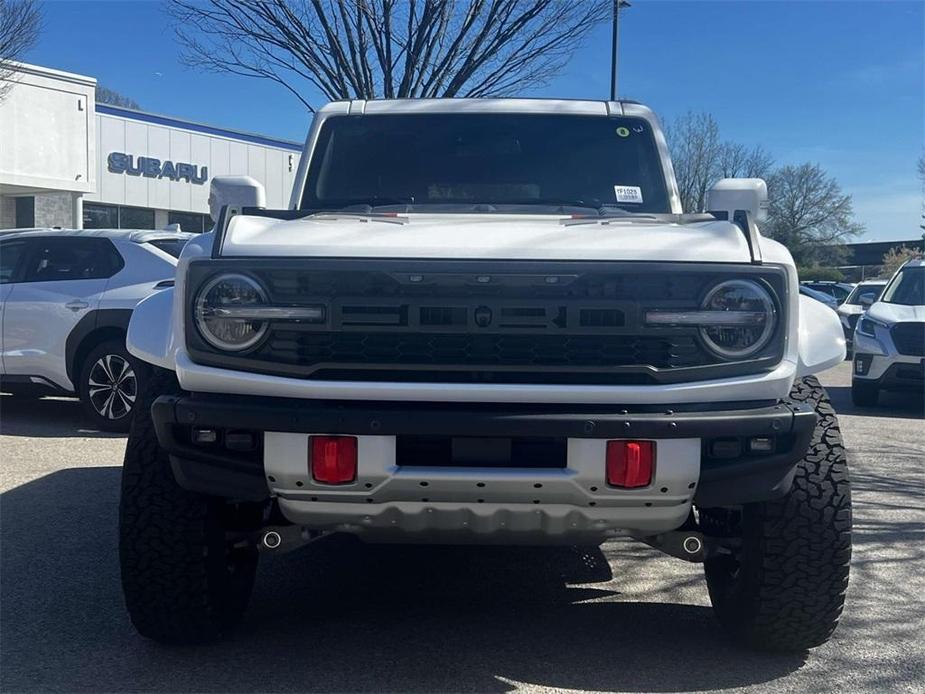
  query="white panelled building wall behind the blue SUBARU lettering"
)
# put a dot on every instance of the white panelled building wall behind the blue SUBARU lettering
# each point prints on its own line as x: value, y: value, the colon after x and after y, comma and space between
x: 275, y: 167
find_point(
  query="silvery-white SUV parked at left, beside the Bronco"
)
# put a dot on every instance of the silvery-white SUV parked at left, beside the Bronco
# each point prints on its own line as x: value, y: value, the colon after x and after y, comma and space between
x: 66, y: 297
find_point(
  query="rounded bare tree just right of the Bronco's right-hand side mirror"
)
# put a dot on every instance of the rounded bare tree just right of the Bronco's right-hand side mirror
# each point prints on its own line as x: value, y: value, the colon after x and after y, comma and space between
x: 809, y: 213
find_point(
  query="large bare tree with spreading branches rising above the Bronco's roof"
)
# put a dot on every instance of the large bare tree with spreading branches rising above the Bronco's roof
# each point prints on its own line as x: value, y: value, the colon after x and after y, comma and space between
x: 387, y: 48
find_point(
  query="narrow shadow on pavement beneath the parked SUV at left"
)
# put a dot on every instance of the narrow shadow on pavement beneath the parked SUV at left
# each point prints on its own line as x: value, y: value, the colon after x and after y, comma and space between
x: 45, y: 417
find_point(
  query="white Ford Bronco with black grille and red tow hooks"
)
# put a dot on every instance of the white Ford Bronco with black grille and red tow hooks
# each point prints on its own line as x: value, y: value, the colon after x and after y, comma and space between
x: 487, y: 321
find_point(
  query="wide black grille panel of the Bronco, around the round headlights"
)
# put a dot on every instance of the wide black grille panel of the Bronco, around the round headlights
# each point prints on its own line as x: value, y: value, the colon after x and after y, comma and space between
x: 525, y: 322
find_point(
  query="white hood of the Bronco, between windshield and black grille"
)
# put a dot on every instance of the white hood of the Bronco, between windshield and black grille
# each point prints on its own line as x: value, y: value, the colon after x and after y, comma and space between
x: 483, y: 236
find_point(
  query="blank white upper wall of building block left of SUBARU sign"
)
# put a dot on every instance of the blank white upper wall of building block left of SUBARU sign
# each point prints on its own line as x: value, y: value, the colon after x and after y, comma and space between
x: 47, y: 131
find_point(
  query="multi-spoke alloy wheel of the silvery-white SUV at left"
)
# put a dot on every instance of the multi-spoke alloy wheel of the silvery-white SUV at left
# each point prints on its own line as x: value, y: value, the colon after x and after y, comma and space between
x: 109, y: 386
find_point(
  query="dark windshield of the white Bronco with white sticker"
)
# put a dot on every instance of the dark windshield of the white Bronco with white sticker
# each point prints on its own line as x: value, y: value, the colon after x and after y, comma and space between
x: 512, y: 162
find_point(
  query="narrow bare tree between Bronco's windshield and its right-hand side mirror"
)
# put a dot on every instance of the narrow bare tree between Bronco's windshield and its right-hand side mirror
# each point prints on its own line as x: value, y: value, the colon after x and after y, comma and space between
x: 695, y: 152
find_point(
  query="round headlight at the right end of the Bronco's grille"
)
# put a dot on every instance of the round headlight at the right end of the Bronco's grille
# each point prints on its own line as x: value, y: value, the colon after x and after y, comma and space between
x: 749, y: 323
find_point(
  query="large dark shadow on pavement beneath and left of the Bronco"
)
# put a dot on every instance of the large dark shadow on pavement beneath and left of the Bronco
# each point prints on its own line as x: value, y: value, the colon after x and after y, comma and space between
x: 343, y: 616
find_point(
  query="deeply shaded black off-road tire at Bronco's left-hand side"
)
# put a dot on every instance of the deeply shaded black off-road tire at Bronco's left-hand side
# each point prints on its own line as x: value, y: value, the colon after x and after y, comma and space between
x: 182, y: 580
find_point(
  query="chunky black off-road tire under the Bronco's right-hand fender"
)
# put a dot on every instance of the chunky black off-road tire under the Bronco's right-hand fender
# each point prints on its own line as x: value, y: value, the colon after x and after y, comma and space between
x: 782, y: 586
